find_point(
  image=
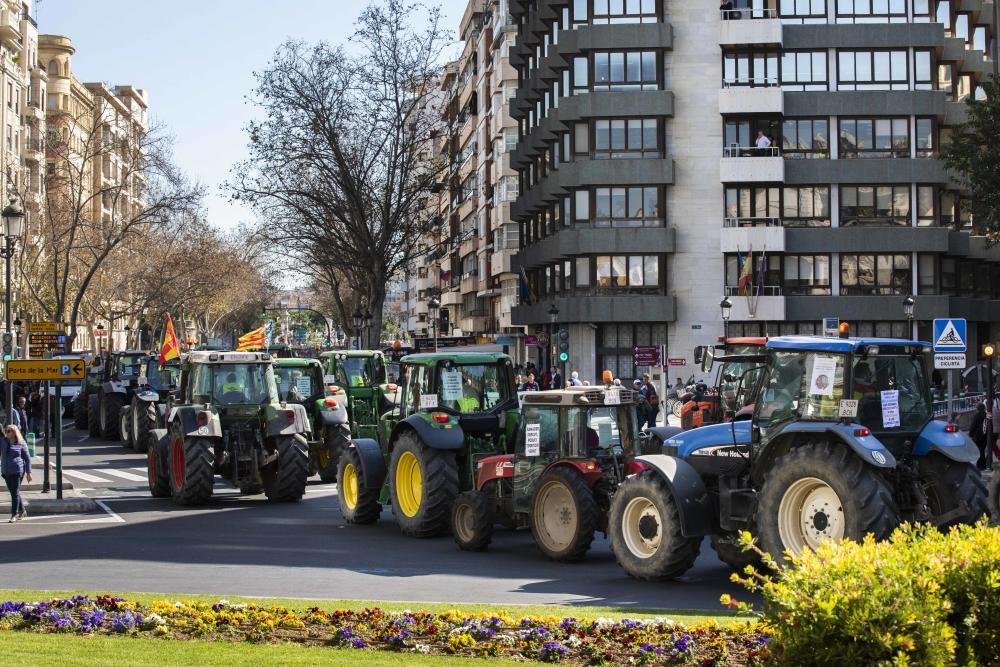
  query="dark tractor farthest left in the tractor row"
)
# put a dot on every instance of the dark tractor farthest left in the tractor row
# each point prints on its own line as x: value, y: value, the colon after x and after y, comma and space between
x: 109, y: 391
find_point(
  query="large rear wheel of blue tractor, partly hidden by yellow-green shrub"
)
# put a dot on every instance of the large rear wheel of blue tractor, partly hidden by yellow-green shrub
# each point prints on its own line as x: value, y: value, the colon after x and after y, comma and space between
x: 820, y: 491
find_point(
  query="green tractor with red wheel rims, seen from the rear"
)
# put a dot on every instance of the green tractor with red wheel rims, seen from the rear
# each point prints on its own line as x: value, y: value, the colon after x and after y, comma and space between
x: 228, y: 419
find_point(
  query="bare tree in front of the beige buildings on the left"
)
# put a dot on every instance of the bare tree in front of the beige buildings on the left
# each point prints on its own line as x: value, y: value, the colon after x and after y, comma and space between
x: 112, y: 178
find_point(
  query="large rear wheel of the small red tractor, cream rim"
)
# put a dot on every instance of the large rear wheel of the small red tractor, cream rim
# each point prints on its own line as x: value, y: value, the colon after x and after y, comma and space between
x: 563, y: 515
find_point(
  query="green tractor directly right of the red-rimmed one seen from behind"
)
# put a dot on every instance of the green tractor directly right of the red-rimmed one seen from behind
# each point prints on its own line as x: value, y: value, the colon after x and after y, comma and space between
x: 302, y: 381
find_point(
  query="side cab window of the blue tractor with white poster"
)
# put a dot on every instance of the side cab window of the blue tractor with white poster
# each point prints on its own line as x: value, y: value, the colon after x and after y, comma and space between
x: 801, y: 385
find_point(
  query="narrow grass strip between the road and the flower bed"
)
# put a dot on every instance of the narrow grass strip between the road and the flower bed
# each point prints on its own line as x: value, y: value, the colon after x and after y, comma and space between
x: 679, y: 615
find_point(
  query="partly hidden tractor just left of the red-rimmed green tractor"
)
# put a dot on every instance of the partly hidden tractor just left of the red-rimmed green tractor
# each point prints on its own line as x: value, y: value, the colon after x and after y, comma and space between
x: 150, y: 385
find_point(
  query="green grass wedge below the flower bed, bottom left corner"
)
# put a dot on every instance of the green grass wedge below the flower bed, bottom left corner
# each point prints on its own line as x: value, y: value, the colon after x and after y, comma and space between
x: 24, y: 648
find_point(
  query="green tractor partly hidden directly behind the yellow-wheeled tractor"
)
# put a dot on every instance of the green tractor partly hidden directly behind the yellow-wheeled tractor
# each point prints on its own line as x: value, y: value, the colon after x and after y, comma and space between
x: 370, y: 394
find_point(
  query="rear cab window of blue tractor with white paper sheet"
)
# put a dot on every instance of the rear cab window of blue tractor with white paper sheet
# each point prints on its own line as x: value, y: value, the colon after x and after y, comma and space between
x: 892, y: 392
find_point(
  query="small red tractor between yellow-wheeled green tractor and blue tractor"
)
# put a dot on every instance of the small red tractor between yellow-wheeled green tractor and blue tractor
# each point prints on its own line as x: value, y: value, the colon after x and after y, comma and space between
x: 574, y: 448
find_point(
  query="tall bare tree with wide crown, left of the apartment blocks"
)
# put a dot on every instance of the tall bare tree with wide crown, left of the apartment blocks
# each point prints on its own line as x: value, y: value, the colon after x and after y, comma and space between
x: 339, y: 166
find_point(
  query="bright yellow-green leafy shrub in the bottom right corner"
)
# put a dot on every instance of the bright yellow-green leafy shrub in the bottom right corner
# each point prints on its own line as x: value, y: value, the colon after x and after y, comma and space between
x: 921, y: 597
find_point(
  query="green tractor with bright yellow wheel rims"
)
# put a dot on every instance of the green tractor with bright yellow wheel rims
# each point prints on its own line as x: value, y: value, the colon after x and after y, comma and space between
x: 455, y: 410
